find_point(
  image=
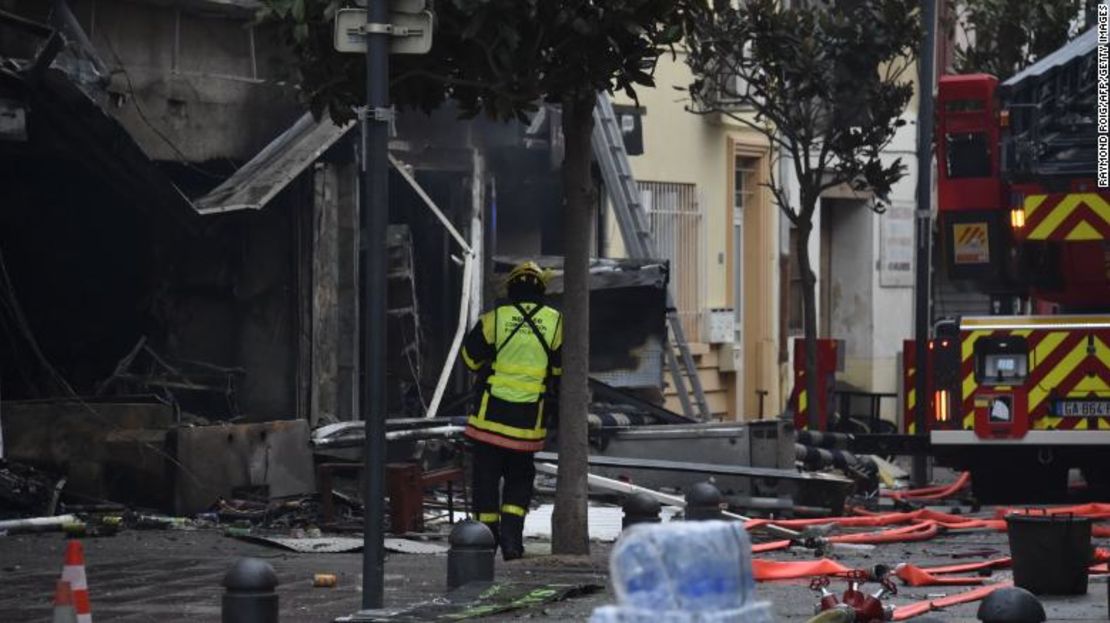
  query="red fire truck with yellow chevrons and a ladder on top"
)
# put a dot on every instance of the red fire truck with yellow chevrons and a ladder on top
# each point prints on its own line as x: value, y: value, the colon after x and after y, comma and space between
x: 1021, y: 397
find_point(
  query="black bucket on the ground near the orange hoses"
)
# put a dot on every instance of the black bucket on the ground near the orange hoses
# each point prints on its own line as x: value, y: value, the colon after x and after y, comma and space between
x: 1052, y: 554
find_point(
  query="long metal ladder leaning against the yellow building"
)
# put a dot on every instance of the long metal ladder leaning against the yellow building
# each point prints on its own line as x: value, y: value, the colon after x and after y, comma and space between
x: 613, y: 160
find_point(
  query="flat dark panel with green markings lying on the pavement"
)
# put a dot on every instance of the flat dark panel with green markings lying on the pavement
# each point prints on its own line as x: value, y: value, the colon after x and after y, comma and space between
x: 480, y: 599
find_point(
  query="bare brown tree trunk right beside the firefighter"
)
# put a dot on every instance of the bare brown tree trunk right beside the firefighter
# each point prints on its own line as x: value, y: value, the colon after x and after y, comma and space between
x: 570, y: 530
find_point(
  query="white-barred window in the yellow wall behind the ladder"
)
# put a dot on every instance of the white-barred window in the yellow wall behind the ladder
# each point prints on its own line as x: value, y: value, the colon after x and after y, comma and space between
x: 675, y: 220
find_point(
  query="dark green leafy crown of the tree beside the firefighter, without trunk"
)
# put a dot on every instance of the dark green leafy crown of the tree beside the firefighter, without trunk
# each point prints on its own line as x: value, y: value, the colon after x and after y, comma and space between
x: 493, y: 57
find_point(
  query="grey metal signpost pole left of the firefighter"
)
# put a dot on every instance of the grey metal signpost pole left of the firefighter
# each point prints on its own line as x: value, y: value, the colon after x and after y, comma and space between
x: 376, y: 215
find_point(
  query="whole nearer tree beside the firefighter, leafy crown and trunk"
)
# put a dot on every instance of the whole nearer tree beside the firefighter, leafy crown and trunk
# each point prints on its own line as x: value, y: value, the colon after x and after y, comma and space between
x: 500, y: 58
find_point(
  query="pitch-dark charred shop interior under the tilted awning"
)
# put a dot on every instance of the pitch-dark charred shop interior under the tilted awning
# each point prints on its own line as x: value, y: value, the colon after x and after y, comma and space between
x: 94, y: 273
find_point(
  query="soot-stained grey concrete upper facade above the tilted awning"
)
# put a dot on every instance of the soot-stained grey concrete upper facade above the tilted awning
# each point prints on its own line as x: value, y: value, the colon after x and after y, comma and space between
x: 191, y: 86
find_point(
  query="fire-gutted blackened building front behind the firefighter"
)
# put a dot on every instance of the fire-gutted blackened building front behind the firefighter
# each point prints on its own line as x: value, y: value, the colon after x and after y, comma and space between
x: 179, y: 239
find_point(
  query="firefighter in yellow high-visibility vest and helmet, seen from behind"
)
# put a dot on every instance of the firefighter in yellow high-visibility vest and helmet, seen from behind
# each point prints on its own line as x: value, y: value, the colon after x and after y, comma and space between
x: 516, y: 350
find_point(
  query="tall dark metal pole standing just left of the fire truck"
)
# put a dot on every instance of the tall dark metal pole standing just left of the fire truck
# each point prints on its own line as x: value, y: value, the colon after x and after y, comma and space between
x: 924, y: 229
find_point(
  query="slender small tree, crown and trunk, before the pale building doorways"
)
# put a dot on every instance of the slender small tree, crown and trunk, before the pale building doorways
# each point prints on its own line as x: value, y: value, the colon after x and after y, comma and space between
x: 826, y: 85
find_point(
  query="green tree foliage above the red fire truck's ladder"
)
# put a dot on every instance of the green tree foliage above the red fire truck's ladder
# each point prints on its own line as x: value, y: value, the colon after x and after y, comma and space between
x: 1004, y: 37
